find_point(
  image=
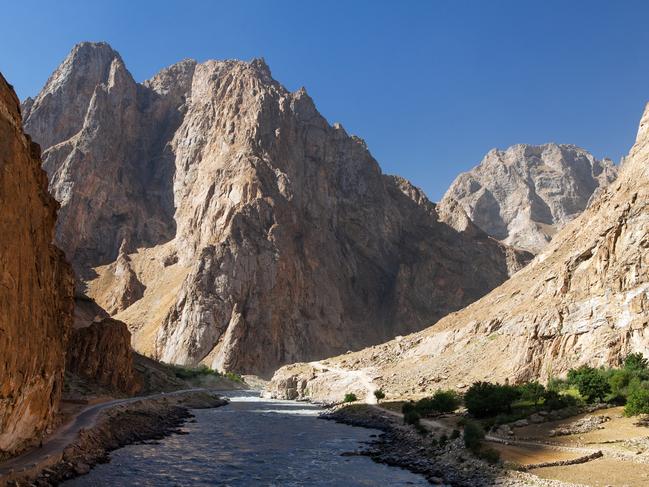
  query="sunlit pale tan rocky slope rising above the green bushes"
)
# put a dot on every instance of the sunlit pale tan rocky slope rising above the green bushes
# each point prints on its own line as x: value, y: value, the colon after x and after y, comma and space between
x: 583, y: 300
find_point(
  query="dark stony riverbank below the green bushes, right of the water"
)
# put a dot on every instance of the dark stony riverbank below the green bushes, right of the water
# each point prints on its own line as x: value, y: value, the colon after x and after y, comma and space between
x: 447, y: 464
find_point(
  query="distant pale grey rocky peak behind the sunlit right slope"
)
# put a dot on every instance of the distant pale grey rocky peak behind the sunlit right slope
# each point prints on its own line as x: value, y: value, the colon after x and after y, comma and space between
x: 525, y: 194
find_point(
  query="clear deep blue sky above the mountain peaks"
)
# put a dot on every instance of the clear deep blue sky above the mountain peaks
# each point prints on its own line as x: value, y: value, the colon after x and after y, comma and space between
x: 430, y: 85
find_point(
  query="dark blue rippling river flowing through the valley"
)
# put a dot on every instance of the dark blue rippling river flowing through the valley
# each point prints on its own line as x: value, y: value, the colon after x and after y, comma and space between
x: 251, y: 442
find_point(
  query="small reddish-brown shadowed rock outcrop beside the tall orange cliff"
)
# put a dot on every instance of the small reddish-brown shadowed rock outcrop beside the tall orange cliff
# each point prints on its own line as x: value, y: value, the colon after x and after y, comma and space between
x: 100, y: 349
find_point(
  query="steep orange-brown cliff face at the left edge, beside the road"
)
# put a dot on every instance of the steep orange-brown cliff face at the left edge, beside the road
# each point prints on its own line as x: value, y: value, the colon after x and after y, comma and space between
x: 35, y: 288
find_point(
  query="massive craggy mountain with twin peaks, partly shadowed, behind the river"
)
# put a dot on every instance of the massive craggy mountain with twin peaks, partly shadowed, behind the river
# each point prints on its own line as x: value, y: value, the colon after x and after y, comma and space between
x: 228, y: 223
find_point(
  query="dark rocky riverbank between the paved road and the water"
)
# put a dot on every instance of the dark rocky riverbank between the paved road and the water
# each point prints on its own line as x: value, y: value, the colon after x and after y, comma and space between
x: 122, y: 424
